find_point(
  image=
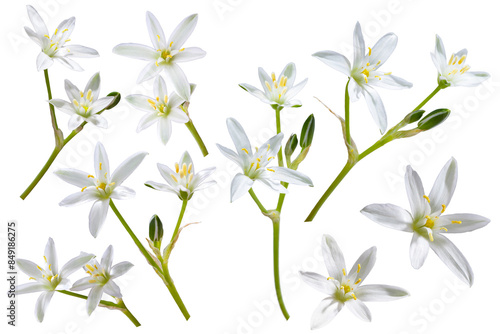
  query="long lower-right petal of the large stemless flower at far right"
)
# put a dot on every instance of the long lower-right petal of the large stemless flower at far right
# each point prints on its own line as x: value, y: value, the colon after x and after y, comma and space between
x: 453, y: 258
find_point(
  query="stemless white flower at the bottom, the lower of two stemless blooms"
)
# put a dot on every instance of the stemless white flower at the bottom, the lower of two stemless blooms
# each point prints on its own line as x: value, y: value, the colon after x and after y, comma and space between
x: 346, y: 289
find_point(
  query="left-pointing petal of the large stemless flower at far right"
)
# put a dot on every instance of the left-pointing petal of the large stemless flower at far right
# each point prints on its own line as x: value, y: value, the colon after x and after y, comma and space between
x: 389, y: 215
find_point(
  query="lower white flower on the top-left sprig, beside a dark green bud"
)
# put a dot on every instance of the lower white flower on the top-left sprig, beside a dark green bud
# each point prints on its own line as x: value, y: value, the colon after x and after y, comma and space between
x: 84, y: 105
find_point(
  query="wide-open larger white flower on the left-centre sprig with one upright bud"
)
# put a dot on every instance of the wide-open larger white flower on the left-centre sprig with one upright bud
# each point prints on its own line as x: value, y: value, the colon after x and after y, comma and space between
x: 101, y: 187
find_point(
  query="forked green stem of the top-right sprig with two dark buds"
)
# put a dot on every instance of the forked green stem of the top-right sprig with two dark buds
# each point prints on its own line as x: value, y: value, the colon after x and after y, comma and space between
x: 349, y: 165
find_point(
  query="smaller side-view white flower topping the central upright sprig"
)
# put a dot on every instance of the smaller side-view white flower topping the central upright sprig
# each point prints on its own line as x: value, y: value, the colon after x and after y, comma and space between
x: 278, y: 91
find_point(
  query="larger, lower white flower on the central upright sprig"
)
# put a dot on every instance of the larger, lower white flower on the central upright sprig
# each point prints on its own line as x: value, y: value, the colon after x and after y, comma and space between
x: 254, y: 165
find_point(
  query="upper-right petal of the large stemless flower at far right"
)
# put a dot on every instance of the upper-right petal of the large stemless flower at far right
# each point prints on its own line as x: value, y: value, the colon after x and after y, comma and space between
x: 444, y: 186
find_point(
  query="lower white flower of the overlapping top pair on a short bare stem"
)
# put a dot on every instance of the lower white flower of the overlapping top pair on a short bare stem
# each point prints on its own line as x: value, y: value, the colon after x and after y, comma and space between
x: 162, y: 108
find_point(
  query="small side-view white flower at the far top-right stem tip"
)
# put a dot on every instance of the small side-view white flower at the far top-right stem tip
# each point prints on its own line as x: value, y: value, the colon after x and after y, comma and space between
x: 454, y: 71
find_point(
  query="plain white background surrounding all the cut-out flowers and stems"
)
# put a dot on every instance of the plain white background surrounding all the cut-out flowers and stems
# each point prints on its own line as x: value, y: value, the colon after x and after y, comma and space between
x: 223, y: 267
